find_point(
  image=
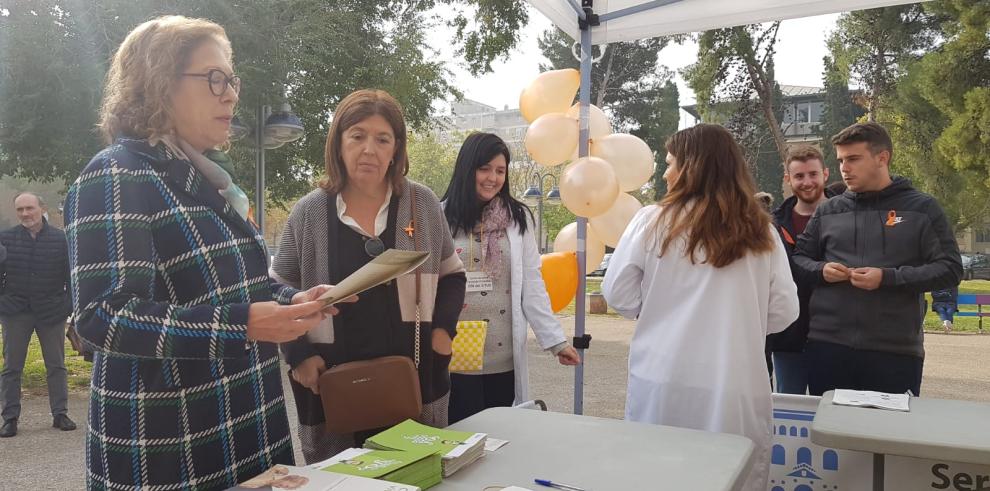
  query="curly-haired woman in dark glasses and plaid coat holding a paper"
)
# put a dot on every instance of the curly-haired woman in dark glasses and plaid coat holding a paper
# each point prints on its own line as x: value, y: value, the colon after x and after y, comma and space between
x: 170, y: 280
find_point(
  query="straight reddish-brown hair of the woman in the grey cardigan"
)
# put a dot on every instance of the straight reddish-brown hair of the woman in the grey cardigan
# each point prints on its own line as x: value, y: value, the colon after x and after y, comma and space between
x: 356, y: 107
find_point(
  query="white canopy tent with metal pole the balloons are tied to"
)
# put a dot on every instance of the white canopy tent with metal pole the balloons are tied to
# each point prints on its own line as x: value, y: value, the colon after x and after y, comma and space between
x: 591, y: 22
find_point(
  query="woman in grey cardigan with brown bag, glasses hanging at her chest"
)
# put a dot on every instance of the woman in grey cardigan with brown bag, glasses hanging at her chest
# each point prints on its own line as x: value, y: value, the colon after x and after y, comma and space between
x: 364, y: 206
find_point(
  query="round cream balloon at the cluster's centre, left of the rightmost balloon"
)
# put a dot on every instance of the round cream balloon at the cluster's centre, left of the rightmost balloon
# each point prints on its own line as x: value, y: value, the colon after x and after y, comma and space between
x: 588, y: 187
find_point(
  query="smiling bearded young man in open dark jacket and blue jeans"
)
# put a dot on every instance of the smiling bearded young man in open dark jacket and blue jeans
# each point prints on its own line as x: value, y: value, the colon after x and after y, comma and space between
x: 806, y: 174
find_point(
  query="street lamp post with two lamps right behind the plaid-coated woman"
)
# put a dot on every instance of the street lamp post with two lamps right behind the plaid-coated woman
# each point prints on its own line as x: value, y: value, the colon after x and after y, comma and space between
x: 272, y: 130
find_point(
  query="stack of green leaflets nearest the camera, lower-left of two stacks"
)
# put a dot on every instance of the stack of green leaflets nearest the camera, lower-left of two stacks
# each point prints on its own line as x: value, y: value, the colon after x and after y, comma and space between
x: 414, y: 467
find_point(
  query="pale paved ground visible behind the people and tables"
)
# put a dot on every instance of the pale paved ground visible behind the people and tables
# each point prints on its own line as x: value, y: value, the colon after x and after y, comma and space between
x: 43, y: 458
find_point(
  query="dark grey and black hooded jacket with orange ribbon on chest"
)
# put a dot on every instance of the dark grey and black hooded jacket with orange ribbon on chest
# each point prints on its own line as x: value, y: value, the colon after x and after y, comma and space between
x: 898, y: 229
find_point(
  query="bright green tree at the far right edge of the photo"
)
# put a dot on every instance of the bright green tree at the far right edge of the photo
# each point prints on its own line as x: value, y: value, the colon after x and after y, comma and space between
x: 940, y: 121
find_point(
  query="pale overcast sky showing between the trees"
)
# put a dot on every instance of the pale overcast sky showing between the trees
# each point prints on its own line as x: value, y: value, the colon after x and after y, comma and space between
x: 800, y: 48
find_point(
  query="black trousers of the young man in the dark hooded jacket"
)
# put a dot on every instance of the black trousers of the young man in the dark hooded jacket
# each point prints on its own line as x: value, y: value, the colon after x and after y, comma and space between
x: 834, y: 366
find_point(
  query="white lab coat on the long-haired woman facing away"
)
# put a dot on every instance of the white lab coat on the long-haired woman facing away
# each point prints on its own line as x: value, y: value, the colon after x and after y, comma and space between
x: 696, y: 359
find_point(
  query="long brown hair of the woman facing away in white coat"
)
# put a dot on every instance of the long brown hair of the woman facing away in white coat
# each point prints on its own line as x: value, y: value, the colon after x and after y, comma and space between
x: 711, y: 203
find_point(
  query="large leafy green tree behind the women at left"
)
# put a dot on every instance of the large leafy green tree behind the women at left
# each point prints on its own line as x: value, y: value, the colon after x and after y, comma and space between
x: 311, y: 53
